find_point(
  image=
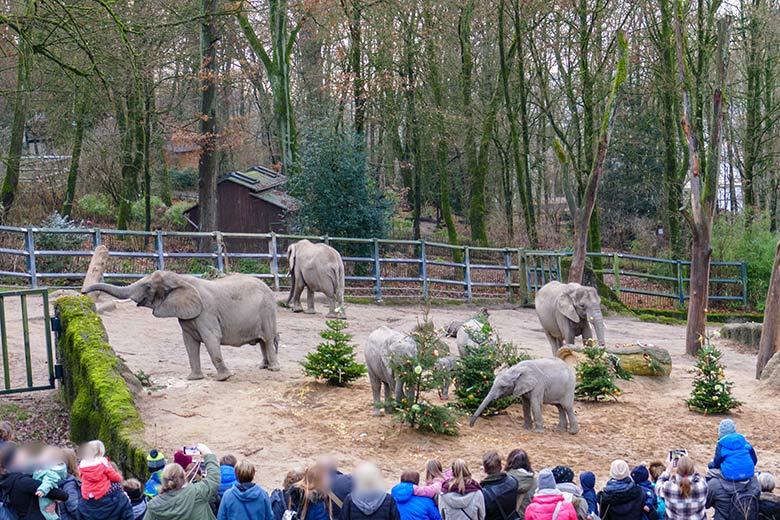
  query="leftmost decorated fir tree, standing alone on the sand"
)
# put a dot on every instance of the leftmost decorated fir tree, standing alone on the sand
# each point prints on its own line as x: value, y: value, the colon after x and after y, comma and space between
x: 334, y: 358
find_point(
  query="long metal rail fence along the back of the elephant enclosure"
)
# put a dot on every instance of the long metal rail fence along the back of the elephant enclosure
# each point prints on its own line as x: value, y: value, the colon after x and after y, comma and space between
x: 375, y: 268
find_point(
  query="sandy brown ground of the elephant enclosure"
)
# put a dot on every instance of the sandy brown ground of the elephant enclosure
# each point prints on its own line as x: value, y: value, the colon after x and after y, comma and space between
x: 283, y: 420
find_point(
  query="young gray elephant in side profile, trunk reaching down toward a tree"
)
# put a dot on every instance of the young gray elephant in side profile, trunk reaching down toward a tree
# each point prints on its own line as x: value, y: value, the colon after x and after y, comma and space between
x: 537, y: 382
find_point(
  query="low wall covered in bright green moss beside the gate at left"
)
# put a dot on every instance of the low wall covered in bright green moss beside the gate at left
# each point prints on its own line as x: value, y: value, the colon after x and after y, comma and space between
x: 100, y: 401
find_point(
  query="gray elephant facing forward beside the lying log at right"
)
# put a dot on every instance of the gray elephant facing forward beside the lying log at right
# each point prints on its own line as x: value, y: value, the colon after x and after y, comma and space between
x: 567, y: 310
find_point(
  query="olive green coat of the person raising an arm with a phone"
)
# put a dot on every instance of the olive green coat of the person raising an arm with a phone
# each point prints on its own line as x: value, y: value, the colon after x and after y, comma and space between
x: 190, y: 502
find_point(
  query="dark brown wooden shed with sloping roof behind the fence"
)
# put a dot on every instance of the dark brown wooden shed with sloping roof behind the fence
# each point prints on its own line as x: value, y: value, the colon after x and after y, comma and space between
x: 253, y: 201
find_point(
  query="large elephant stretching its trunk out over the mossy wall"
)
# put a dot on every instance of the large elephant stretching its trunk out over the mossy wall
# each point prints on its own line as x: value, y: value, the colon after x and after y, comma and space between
x: 234, y: 310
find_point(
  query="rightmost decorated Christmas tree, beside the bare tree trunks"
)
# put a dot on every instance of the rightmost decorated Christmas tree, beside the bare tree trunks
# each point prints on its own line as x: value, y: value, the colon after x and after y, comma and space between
x: 711, y: 391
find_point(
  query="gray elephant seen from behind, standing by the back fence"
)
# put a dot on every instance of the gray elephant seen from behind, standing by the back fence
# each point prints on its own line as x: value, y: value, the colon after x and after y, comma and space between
x: 318, y: 268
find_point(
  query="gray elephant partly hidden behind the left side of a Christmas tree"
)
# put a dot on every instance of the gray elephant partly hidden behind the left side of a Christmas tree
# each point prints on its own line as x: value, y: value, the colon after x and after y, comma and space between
x: 385, y: 345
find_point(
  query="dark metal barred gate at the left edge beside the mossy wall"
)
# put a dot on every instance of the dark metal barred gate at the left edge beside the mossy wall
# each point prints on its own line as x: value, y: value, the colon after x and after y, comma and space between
x: 26, y: 346
